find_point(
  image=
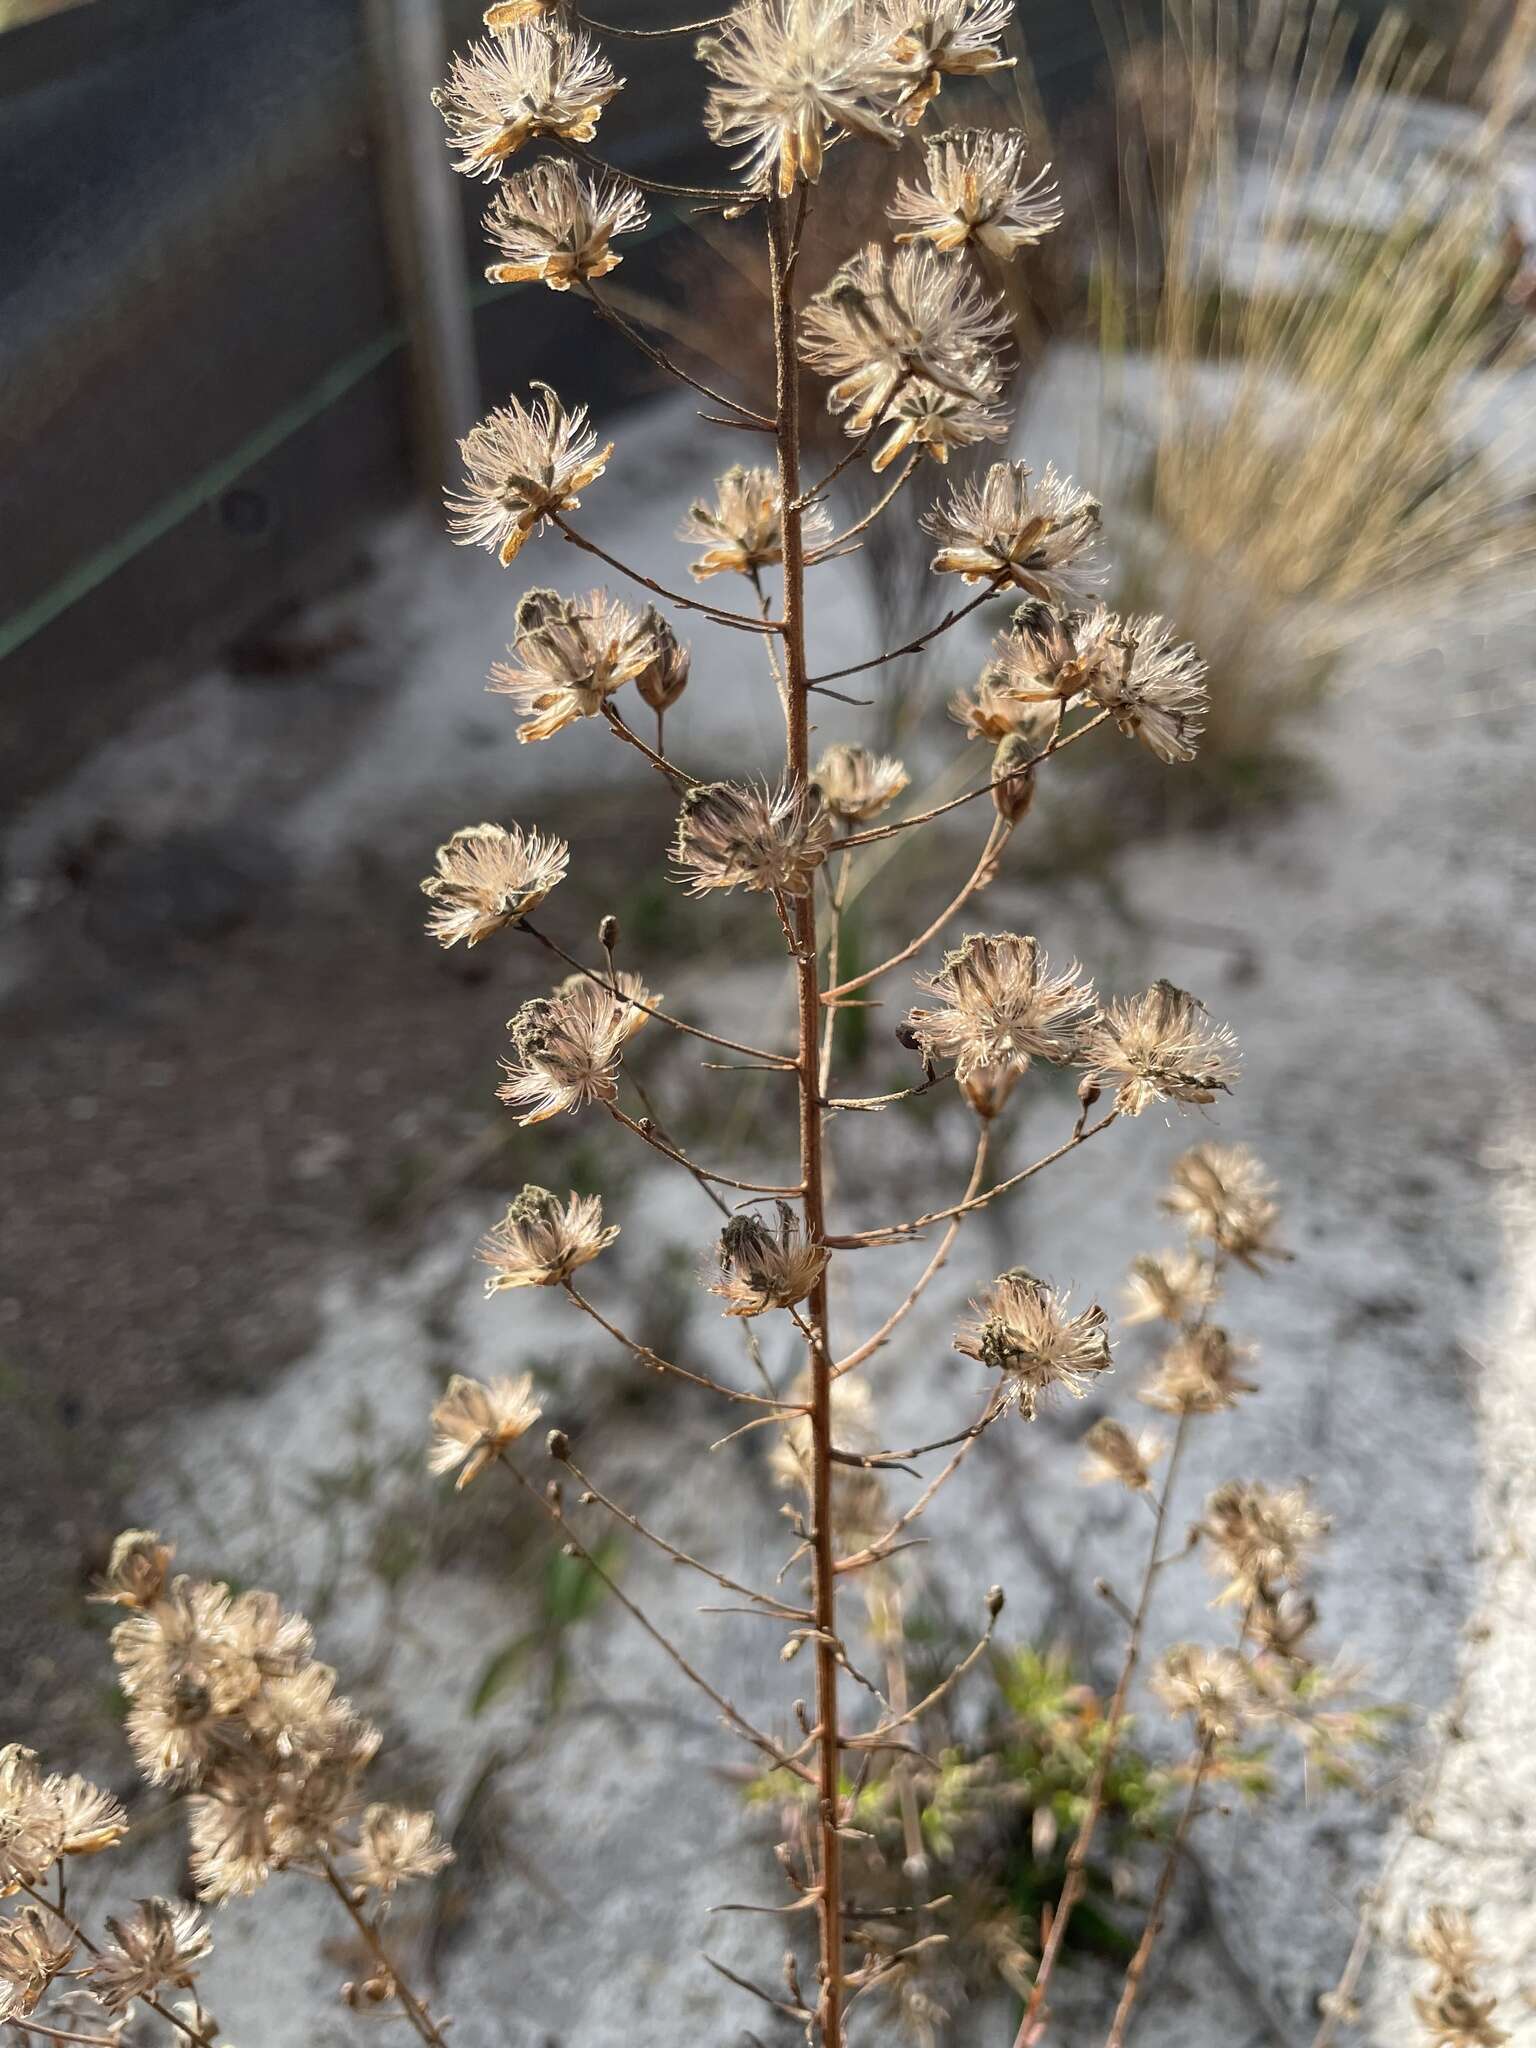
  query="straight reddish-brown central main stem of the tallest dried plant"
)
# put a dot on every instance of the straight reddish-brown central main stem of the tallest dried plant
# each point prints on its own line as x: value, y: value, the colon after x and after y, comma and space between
x: 808, y: 988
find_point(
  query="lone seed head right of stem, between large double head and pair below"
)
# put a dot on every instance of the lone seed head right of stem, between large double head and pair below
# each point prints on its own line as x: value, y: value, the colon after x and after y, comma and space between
x: 1037, y: 536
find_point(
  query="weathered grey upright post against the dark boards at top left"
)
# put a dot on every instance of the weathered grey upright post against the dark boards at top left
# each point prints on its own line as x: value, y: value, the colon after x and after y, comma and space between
x: 409, y: 54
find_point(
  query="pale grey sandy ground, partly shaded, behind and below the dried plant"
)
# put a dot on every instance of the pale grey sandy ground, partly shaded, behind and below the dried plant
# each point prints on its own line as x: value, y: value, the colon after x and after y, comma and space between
x: 1373, y: 953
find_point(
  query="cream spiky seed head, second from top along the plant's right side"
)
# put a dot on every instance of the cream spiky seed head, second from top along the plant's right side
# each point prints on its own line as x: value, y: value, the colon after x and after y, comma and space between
x: 976, y: 191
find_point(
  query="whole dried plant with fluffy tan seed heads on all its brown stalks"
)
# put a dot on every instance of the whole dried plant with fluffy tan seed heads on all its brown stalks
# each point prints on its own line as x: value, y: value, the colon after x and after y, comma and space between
x: 226, y: 1701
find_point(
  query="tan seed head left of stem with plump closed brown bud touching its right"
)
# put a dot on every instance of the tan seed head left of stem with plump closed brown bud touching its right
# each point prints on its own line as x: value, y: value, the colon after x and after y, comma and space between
x: 568, y: 658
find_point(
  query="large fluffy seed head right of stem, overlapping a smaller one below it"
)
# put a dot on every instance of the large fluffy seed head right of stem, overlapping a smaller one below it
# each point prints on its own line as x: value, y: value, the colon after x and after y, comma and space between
x: 886, y: 321
